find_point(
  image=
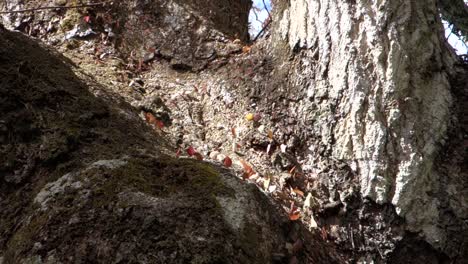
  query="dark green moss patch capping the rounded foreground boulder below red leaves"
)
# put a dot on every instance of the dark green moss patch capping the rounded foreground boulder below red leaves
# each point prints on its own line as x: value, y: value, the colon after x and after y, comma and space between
x: 166, y: 177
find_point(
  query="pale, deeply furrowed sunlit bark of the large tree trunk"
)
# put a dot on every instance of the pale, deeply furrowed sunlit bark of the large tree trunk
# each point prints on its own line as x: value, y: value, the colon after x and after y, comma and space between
x: 378, y: 75
